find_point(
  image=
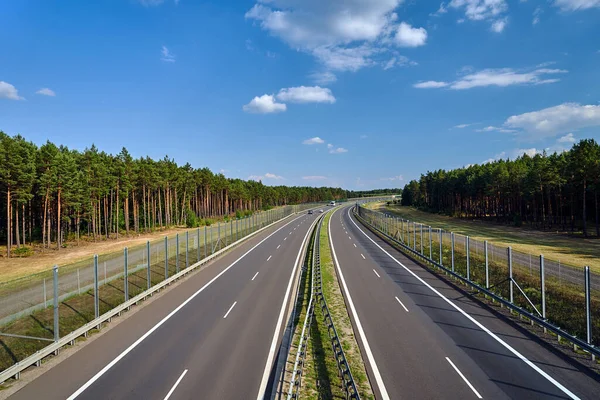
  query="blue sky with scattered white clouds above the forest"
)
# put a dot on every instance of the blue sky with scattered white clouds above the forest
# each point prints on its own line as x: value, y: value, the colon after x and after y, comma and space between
x: 357, y: 94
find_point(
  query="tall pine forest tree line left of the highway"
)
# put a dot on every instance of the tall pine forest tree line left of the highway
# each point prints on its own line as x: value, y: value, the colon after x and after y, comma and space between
x: 52, y: 192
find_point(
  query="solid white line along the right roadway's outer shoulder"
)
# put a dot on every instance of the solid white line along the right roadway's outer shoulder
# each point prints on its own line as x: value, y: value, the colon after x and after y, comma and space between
x: 473, y: 320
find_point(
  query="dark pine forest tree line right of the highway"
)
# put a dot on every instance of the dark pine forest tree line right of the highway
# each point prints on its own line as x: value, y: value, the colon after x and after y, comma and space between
x: 556, y: 191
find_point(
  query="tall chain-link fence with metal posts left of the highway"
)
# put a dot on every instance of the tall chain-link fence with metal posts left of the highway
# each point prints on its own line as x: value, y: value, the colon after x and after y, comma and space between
x: 30, y: 316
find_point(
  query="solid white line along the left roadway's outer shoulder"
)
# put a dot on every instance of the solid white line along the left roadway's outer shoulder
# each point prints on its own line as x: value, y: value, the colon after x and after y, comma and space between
x: 165, y: 319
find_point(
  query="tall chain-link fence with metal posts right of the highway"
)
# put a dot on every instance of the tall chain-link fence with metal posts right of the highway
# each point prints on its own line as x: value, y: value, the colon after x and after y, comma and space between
x: 555, y: 292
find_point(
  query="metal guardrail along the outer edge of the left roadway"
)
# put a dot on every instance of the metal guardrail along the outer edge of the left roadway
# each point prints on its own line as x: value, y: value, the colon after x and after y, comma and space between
x: 36, y: 359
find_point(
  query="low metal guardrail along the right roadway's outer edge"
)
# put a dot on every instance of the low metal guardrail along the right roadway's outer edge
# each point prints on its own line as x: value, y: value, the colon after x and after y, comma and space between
x: 593, y: 350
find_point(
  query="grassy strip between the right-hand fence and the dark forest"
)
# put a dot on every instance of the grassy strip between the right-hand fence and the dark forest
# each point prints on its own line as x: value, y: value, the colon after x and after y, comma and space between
x: 574, y: 251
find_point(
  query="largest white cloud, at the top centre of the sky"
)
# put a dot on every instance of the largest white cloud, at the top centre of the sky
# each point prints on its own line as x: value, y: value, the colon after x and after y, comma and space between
x: 341, y: 35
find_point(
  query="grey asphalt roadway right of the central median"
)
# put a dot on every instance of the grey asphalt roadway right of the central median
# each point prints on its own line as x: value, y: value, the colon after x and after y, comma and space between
x: 423, y: 339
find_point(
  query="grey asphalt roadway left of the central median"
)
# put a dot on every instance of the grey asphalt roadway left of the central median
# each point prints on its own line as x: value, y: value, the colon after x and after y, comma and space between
x: 210, y: 338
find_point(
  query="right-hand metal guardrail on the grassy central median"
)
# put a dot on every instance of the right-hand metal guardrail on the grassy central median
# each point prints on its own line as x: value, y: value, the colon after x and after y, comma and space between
x: 338, y: 351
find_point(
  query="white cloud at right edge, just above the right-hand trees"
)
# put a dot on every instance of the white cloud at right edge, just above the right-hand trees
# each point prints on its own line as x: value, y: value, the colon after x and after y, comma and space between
x: 556, y: 120
